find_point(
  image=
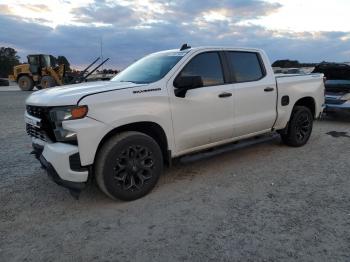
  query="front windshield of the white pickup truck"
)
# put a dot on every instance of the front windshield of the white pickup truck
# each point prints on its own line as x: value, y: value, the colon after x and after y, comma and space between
x: 150, y: 68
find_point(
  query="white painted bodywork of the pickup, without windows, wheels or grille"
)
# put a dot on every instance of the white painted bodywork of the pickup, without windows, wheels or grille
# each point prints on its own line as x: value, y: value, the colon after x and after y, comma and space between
x: 198, y: 121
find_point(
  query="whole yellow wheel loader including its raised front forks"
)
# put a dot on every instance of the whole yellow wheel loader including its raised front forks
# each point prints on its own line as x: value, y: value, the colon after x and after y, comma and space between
x: 43, y: 71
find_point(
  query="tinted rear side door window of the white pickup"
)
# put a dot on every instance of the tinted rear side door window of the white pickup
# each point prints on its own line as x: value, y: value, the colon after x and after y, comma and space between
x: 245, y: 66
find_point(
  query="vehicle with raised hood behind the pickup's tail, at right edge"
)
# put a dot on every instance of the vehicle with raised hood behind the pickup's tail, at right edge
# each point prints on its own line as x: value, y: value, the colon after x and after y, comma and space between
x: 337, y: 85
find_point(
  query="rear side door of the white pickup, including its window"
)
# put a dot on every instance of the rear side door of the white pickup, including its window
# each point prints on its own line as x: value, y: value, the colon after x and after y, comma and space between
x: 255, y: 93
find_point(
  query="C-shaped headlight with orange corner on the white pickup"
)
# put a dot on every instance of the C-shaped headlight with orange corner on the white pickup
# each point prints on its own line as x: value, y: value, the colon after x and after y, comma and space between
x: 60, y: 114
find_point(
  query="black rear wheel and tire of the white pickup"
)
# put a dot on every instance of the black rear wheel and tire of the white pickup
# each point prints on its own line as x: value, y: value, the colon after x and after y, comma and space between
x: 299, y: 127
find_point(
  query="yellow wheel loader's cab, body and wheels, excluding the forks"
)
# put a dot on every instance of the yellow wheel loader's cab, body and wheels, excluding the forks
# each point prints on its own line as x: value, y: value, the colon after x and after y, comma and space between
x: 41, y: 71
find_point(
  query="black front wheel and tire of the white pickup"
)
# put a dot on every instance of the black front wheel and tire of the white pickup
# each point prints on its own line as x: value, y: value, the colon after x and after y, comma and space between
x: 128, y: 166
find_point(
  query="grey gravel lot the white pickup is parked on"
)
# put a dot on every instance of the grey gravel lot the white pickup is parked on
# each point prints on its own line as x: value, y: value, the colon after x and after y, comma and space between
x: 266, y: 202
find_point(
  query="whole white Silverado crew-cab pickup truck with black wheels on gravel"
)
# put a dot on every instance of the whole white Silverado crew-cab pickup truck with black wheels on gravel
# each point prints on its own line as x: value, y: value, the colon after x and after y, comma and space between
x: 165, y: 105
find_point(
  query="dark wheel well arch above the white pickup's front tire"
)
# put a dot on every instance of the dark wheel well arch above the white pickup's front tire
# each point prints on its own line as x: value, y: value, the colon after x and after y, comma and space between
x: 149, y: 128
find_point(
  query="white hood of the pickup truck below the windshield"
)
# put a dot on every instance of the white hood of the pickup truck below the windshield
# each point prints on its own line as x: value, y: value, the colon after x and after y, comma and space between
x: 70, y: 94
